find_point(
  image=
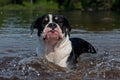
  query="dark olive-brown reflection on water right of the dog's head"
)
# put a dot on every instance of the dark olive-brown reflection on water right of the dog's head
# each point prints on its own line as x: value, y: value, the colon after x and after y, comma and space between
x: 94, y: 21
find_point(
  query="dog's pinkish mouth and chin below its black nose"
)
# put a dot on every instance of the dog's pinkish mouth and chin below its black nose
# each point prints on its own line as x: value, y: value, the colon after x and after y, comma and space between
x: 52, y: 37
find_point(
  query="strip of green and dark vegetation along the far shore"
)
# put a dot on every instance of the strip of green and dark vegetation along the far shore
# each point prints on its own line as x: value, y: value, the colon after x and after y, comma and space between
x: 84, y: 5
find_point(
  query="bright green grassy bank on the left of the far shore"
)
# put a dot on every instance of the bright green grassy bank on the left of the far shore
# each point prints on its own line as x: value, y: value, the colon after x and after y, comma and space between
x: 27, y: 5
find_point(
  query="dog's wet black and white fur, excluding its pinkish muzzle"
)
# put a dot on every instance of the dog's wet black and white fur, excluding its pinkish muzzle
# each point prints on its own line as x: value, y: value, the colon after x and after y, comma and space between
x: 67, y: 51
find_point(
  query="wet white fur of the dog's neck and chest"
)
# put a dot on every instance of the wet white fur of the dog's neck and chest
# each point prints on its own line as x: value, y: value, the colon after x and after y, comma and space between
x: 60, y: 52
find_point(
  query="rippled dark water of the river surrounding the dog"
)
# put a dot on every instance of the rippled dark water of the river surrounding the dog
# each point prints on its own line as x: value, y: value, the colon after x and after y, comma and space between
x: 102, y: 29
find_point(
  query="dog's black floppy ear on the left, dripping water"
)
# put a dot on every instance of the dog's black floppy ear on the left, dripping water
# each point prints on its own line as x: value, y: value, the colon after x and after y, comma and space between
x: 36, y: 25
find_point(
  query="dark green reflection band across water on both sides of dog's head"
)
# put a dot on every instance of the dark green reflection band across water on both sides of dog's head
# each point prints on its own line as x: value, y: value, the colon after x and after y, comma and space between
x: 94, y: 21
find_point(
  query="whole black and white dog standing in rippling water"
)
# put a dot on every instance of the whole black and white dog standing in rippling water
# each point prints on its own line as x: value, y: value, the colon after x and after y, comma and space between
x: 54, y: 32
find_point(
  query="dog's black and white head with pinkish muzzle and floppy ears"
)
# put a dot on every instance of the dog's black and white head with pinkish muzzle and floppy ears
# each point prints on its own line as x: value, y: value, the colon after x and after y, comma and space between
x: 51, y: 26
